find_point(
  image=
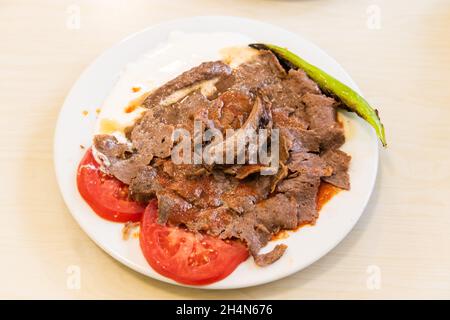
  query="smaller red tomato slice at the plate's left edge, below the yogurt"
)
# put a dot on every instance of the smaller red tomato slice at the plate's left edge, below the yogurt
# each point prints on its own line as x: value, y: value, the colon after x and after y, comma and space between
x: 106, y: 195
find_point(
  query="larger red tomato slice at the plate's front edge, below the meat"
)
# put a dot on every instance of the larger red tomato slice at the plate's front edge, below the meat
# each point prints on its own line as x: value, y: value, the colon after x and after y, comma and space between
x: 186, y: 257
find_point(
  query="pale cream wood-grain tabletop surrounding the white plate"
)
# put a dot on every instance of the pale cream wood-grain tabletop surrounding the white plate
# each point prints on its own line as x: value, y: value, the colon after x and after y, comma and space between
x: 397, y: 51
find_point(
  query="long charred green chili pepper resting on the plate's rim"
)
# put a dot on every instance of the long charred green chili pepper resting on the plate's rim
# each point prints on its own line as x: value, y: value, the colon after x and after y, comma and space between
x: 351, y: 99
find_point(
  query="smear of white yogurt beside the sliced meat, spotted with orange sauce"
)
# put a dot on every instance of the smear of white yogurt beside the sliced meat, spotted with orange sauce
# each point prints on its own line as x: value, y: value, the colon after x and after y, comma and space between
x: 179, y: 53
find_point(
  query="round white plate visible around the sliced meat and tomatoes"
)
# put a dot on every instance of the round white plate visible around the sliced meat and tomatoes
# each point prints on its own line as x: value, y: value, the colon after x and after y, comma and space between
x: 304, y: 246
